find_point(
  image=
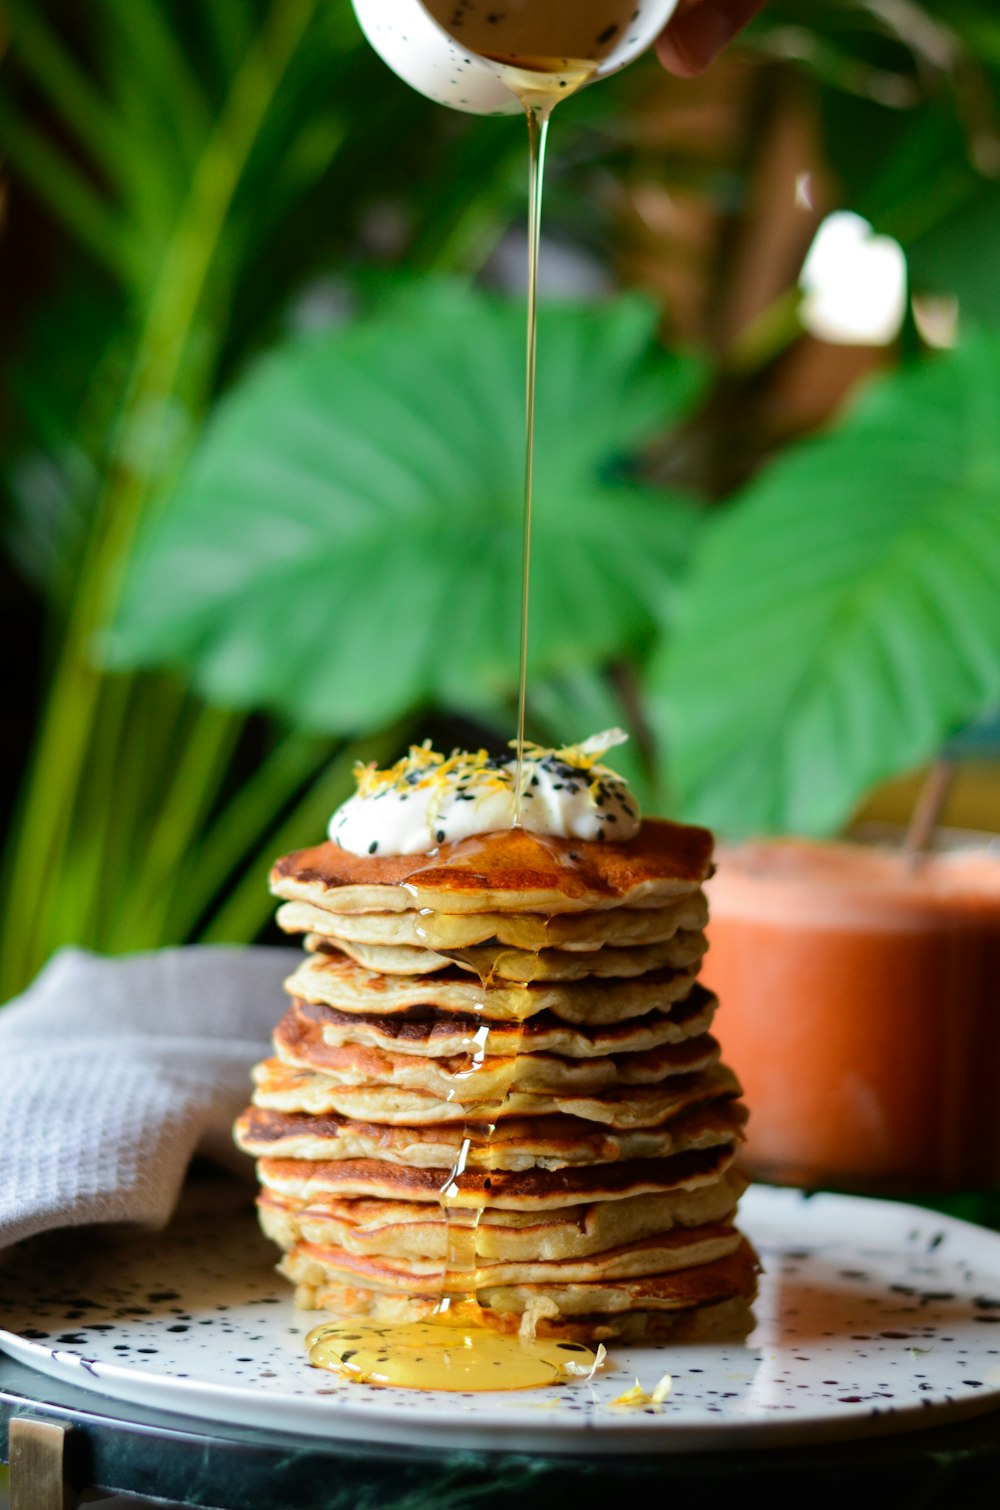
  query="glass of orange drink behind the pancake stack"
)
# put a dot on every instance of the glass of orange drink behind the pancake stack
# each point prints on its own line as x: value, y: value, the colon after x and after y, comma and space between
x: 860, y: 1006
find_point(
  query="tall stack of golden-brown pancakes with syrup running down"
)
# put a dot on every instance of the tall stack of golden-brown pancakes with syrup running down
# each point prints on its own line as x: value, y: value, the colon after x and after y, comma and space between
x: 498, y: 1080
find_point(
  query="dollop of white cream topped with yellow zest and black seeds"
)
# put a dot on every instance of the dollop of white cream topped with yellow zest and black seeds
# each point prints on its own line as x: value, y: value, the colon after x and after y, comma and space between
x: 428, y: 800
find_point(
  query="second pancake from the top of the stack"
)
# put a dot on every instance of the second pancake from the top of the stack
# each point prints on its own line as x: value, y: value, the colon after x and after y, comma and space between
x: 449, y: 931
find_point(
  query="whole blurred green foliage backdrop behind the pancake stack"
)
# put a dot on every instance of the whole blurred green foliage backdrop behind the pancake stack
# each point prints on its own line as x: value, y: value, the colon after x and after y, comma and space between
x: 261, y: 448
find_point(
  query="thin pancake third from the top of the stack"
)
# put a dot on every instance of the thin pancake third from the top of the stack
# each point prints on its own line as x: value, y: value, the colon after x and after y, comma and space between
x: 496, y: 963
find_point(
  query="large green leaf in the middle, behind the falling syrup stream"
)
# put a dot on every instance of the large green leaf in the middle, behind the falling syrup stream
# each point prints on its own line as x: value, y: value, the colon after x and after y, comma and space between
x: 347, y: 544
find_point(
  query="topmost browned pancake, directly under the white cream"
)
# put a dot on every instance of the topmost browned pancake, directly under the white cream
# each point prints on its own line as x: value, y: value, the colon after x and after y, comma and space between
x: 507, y: 872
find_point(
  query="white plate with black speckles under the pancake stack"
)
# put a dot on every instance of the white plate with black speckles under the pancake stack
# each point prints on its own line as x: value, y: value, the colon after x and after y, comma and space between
x: 872, y: 1317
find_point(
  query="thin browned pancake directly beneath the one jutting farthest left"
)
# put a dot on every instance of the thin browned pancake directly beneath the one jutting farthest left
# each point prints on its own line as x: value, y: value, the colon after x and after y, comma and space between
x: 502, y: 1191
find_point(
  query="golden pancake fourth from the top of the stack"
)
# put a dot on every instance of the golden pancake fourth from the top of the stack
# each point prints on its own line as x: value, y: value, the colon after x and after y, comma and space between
x: 341, y: 982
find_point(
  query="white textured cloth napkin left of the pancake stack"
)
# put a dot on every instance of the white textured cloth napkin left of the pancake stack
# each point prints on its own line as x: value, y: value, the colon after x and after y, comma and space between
x: 116, y: 1071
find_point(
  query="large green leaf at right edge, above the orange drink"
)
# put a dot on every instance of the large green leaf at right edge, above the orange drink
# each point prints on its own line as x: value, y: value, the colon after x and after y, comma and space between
x: 844, y: 617
